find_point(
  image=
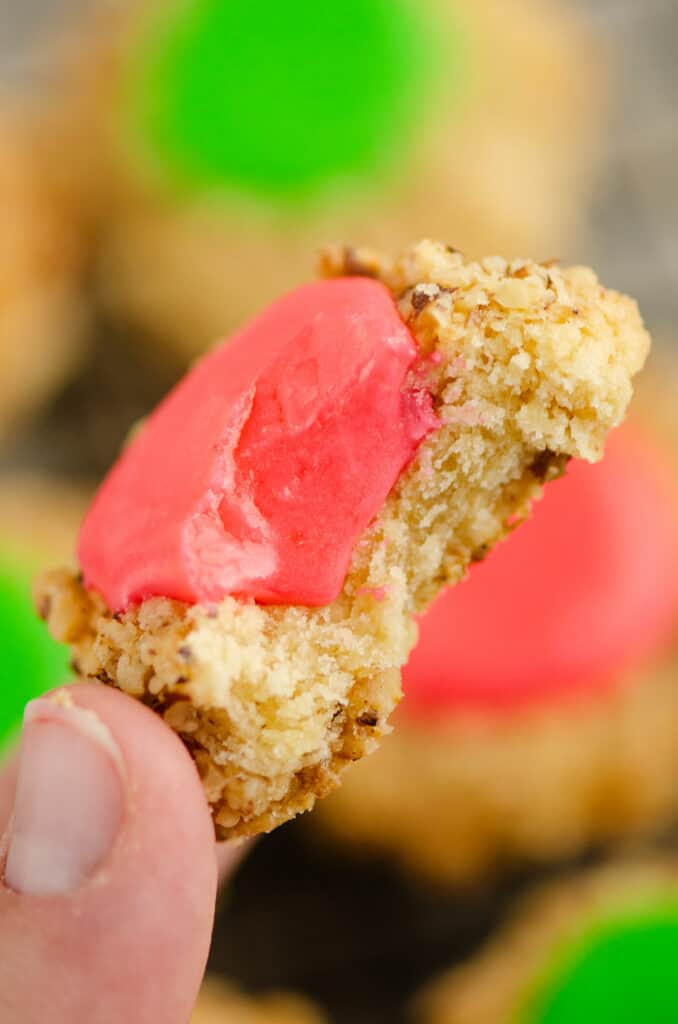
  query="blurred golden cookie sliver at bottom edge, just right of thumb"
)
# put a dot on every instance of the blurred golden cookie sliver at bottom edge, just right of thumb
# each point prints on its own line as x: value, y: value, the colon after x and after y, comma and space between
x: 221, y: 1003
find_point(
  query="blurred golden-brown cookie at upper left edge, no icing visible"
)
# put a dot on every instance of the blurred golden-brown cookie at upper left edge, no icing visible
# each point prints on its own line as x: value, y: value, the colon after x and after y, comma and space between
x: 41, y: 295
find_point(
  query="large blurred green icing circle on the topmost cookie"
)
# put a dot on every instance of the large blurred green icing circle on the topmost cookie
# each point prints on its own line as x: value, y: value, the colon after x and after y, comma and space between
x: 283, y: 101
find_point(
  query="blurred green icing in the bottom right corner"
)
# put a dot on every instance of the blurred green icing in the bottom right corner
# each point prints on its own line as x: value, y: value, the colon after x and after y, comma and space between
x: 623, y: 970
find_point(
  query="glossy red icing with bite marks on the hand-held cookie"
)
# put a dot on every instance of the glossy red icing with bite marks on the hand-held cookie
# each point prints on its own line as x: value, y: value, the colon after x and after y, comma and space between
x: 261, y: 471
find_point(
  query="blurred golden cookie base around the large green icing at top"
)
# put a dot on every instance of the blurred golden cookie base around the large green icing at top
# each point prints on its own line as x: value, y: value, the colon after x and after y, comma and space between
x: 501, y: 162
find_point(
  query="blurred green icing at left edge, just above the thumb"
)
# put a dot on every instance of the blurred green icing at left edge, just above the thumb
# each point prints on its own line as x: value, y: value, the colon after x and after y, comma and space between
x: 31, y: 662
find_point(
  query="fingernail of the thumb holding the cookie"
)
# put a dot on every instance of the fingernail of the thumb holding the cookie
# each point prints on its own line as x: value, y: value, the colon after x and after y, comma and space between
x: 70, y: 799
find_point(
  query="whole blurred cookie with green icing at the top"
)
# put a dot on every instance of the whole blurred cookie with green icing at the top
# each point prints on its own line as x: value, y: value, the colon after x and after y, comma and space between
x: 208, y: 153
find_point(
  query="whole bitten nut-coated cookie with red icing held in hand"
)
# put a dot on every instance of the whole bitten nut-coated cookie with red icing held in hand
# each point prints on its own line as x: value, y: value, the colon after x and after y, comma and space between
x: 363, y: 442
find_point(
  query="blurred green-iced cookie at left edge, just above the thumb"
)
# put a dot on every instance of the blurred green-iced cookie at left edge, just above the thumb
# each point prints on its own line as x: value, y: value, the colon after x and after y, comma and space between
x: 39, y: 519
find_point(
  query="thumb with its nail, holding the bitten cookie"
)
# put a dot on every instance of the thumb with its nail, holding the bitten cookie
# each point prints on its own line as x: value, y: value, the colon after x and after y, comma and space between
x: 109, y: 869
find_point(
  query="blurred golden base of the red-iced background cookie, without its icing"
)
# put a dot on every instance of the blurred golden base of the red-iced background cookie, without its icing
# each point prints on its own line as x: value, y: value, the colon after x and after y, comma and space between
x: 482, y: 790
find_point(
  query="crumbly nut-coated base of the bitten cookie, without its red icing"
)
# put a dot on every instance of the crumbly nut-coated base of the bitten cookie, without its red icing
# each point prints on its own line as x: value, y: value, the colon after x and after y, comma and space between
x: 528, y: 366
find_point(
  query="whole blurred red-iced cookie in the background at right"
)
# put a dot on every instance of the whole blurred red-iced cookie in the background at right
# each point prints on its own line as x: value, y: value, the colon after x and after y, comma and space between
x: 541, y: 708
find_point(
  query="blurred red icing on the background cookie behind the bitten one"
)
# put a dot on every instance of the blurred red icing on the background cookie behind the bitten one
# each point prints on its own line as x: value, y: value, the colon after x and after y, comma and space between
x: 586, y: 588
